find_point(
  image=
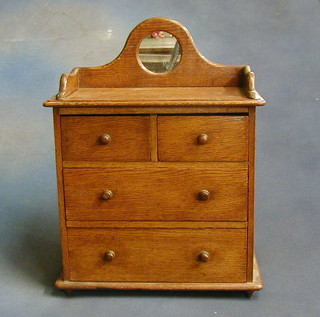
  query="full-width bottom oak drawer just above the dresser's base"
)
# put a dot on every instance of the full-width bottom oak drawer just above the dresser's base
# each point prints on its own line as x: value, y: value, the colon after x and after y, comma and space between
x: 157, y: 255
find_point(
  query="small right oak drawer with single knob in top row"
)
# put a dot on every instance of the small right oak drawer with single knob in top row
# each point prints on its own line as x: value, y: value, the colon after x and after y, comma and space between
x: 203, y: 138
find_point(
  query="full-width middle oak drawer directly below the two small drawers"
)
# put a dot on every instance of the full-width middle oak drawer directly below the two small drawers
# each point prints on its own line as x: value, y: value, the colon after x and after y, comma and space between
x: 168, y: 194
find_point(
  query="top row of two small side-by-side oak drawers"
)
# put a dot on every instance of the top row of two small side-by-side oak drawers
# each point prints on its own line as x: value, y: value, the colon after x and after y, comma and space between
x: 178, y: 138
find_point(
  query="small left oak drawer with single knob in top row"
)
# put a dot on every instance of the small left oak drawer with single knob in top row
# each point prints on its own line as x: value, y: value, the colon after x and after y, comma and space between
x: 105, y: 138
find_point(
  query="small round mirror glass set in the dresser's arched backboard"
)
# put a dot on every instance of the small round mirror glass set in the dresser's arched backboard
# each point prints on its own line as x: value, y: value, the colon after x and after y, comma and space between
x: 160, y: 52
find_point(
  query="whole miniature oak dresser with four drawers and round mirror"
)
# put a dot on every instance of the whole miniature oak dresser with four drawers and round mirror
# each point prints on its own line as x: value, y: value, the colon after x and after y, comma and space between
x: 155, y: 157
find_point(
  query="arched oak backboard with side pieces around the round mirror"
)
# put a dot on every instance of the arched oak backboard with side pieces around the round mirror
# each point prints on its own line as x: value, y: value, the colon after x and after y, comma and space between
x: 128, y: 71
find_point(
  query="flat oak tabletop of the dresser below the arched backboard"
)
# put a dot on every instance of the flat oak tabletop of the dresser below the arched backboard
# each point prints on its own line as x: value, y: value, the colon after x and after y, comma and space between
x: 163, y: 96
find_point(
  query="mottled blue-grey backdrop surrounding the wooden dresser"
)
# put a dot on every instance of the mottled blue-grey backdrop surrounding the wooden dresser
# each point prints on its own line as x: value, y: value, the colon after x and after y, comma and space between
x: 280, y: 39
